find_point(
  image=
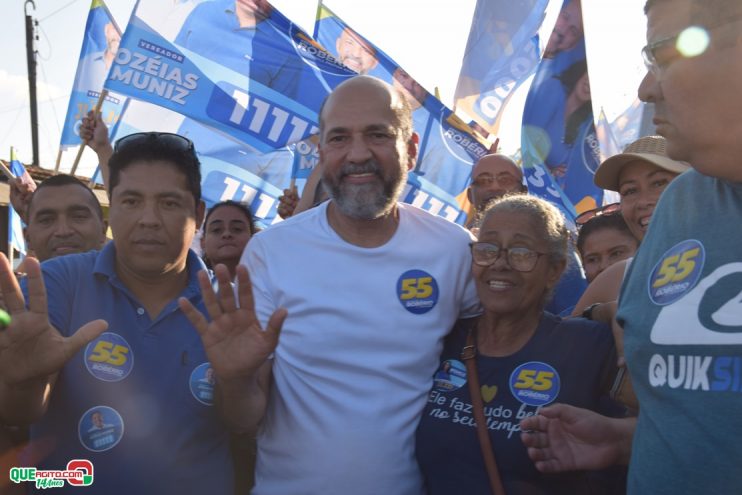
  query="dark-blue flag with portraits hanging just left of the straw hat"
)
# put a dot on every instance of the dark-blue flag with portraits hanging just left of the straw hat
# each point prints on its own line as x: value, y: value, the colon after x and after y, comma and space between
x: 558, y: 140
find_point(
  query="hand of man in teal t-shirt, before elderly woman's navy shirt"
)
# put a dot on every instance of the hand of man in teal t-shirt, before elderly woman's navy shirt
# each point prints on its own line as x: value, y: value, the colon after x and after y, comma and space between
x: 567, y: 438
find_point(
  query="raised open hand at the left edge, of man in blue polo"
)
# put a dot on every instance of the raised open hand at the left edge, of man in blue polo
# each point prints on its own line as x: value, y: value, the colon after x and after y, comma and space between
x: 30, y: 347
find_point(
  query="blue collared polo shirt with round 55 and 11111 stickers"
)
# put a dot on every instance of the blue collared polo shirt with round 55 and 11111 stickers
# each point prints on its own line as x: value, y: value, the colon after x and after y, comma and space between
x: 137, y: 401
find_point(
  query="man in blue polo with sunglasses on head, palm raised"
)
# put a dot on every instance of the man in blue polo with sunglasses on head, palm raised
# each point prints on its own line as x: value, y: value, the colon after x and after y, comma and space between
x: 125, y: 391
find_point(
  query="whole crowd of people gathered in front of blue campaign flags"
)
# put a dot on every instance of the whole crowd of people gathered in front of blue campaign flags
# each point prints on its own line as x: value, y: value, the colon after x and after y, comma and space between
x: 365, y: 346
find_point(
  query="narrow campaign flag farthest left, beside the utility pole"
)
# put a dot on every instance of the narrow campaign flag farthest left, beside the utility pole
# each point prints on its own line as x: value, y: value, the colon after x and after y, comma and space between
x: 99, y: 45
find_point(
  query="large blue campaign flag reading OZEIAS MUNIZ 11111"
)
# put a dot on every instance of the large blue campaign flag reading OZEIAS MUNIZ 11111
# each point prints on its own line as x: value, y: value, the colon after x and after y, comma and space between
x: 246, y: 71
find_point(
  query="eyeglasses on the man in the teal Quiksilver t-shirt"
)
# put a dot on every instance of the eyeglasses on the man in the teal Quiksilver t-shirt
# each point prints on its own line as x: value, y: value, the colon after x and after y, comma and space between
x: 661, y: 53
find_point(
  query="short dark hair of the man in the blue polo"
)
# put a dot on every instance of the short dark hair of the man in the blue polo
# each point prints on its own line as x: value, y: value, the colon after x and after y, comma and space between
x: 155, y: 149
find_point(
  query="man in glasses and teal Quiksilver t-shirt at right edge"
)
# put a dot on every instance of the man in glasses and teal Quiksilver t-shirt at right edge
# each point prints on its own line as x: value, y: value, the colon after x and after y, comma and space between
x: 680, y: 303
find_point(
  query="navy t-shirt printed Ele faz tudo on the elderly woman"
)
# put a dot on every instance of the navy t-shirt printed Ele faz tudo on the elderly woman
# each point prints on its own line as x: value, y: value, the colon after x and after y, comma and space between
x: 568, y: 361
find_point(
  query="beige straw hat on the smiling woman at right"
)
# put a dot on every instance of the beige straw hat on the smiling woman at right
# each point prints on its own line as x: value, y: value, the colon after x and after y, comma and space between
x: 650, y: 149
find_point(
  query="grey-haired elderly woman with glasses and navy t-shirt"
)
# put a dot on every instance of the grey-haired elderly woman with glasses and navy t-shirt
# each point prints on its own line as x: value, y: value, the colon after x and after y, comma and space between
x: 512, y: 360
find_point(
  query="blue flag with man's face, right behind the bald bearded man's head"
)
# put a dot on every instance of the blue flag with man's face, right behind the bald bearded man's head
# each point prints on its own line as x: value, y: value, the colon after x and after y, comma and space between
x: 448, y: 148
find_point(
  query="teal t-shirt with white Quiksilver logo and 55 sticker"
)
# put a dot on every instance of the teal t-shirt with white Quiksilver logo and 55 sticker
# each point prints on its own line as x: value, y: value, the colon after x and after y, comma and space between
x: 681, y: 311
